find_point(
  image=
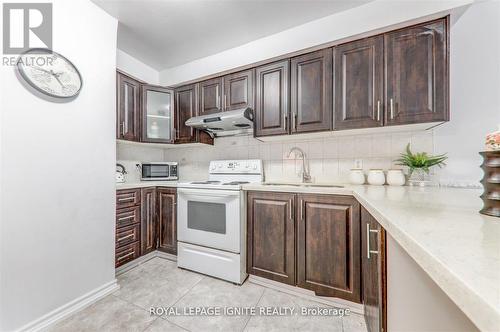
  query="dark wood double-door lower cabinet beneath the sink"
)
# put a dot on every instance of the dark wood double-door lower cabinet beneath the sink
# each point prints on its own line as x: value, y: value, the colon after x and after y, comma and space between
x: 312, y: 241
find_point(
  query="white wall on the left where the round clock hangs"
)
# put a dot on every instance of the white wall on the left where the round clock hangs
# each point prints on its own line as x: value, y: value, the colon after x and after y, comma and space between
x: 57, y: 175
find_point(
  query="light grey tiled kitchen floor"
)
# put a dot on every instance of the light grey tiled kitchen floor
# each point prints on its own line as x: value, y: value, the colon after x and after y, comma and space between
x: 158, y: 282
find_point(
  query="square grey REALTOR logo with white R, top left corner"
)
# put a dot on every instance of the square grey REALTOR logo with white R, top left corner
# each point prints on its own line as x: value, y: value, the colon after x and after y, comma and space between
x: 25, y: 26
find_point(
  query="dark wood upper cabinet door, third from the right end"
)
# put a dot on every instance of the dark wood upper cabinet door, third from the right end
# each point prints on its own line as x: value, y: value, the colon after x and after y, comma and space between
x: 311, y: 92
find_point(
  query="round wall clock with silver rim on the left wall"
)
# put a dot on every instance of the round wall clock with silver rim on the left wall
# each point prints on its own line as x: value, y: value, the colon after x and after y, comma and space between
x: 50, y: 73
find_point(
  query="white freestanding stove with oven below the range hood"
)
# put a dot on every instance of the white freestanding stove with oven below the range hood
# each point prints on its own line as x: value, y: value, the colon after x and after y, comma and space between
x: 211, y: 220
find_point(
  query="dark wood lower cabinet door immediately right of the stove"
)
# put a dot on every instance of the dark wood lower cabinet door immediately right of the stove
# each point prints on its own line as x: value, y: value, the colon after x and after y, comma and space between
x: 271, y: 236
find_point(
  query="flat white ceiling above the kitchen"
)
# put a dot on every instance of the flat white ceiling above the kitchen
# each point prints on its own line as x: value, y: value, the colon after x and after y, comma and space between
x: 167, y: 33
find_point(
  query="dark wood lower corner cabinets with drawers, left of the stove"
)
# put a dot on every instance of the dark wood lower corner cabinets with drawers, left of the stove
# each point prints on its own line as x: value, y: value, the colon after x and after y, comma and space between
x: 146, y: 220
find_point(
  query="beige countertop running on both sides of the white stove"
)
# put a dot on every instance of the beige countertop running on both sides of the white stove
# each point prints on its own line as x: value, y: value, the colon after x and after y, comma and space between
x: 440, y: 228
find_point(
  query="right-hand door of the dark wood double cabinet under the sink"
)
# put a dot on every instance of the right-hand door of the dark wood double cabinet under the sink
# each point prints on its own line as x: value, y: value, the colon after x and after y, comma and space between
x: 328, y: 245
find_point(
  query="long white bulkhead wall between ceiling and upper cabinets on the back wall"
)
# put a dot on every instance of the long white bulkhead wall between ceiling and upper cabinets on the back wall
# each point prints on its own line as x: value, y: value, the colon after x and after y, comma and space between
x: 360, y: 20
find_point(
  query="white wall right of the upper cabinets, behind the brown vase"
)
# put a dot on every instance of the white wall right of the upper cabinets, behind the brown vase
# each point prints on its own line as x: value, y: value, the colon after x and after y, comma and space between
x: 474, y: 89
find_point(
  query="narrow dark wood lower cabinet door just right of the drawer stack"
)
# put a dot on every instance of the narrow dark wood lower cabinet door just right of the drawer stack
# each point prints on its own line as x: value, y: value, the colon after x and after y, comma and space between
x: 148, y: 220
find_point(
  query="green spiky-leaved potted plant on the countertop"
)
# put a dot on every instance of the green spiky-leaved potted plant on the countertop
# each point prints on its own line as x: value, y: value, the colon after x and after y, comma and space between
x: 419, y: 165
